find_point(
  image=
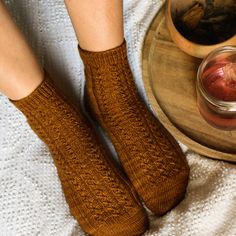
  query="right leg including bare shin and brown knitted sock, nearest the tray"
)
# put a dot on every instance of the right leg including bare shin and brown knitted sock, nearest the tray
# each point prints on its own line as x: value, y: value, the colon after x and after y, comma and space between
x: 149, y: 154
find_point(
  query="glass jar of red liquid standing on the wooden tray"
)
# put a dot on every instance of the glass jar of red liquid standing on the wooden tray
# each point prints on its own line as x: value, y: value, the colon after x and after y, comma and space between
x: 216, y: 88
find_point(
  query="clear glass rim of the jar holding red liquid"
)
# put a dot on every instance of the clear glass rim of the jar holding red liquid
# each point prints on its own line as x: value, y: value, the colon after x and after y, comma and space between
x: 225, y: 106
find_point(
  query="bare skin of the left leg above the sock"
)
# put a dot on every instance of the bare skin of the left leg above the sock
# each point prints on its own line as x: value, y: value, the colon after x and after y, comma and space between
x: 20, y: 72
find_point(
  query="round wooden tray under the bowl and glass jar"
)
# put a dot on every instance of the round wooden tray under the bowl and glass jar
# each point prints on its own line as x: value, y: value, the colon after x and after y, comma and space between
x: 169, y: 78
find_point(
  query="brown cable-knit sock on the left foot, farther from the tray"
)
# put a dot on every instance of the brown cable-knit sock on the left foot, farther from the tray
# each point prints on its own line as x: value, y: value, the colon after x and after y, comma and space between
x: 102, y: 201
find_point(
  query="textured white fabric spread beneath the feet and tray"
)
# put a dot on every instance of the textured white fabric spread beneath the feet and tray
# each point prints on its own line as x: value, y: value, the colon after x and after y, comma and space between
x: 31, y: 199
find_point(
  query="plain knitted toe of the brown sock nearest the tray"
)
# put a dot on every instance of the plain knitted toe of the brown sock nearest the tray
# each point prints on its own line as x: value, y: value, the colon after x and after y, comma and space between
x: 168, y: 194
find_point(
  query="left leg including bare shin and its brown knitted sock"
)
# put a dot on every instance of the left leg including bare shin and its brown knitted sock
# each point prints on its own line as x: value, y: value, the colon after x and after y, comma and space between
x: 99, y: 197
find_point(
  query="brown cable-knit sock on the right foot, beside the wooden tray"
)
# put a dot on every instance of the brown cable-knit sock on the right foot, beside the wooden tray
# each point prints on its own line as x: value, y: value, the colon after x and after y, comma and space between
x: 150, y: 156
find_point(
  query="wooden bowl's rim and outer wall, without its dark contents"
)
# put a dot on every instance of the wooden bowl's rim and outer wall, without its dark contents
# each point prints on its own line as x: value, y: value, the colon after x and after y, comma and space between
x: 191, y: 48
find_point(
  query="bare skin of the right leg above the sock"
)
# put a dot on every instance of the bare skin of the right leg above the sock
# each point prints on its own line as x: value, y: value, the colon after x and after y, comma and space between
x: 98, y: 24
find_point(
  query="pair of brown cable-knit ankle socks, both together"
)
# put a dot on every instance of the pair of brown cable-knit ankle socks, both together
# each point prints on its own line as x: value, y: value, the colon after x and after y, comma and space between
x: 99, y: 197
